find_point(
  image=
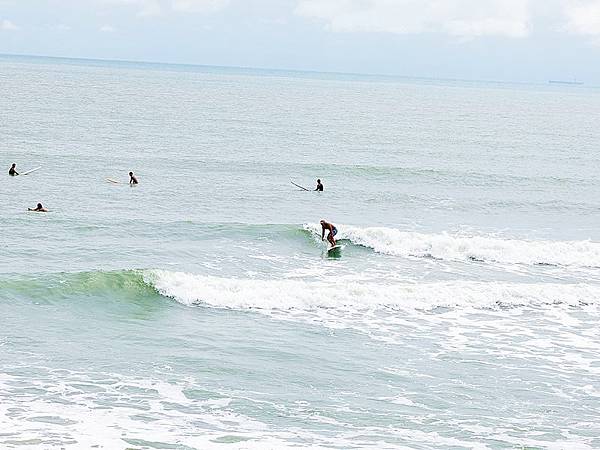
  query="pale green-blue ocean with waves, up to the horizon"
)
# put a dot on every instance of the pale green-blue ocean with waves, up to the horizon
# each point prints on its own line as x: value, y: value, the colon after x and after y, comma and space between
x: 200, y: 309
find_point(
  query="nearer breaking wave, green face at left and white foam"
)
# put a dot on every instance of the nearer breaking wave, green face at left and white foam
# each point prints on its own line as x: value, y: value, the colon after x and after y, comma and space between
x: 291, y: 295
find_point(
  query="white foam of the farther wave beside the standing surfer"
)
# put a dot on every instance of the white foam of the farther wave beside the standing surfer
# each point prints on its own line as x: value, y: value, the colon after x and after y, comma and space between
x: 460, y: 247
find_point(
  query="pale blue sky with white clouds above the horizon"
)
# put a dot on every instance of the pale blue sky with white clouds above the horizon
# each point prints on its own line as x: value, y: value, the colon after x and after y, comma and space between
x: 504, y: 40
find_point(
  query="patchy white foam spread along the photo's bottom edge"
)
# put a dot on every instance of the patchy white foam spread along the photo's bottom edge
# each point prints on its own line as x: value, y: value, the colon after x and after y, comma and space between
x: 51, y: 410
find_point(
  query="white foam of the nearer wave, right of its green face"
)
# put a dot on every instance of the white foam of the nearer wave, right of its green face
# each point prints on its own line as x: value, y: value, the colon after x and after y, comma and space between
x: 290, y: 295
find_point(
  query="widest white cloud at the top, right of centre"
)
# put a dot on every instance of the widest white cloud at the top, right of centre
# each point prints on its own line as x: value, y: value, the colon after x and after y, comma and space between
x: 462, y: 18
